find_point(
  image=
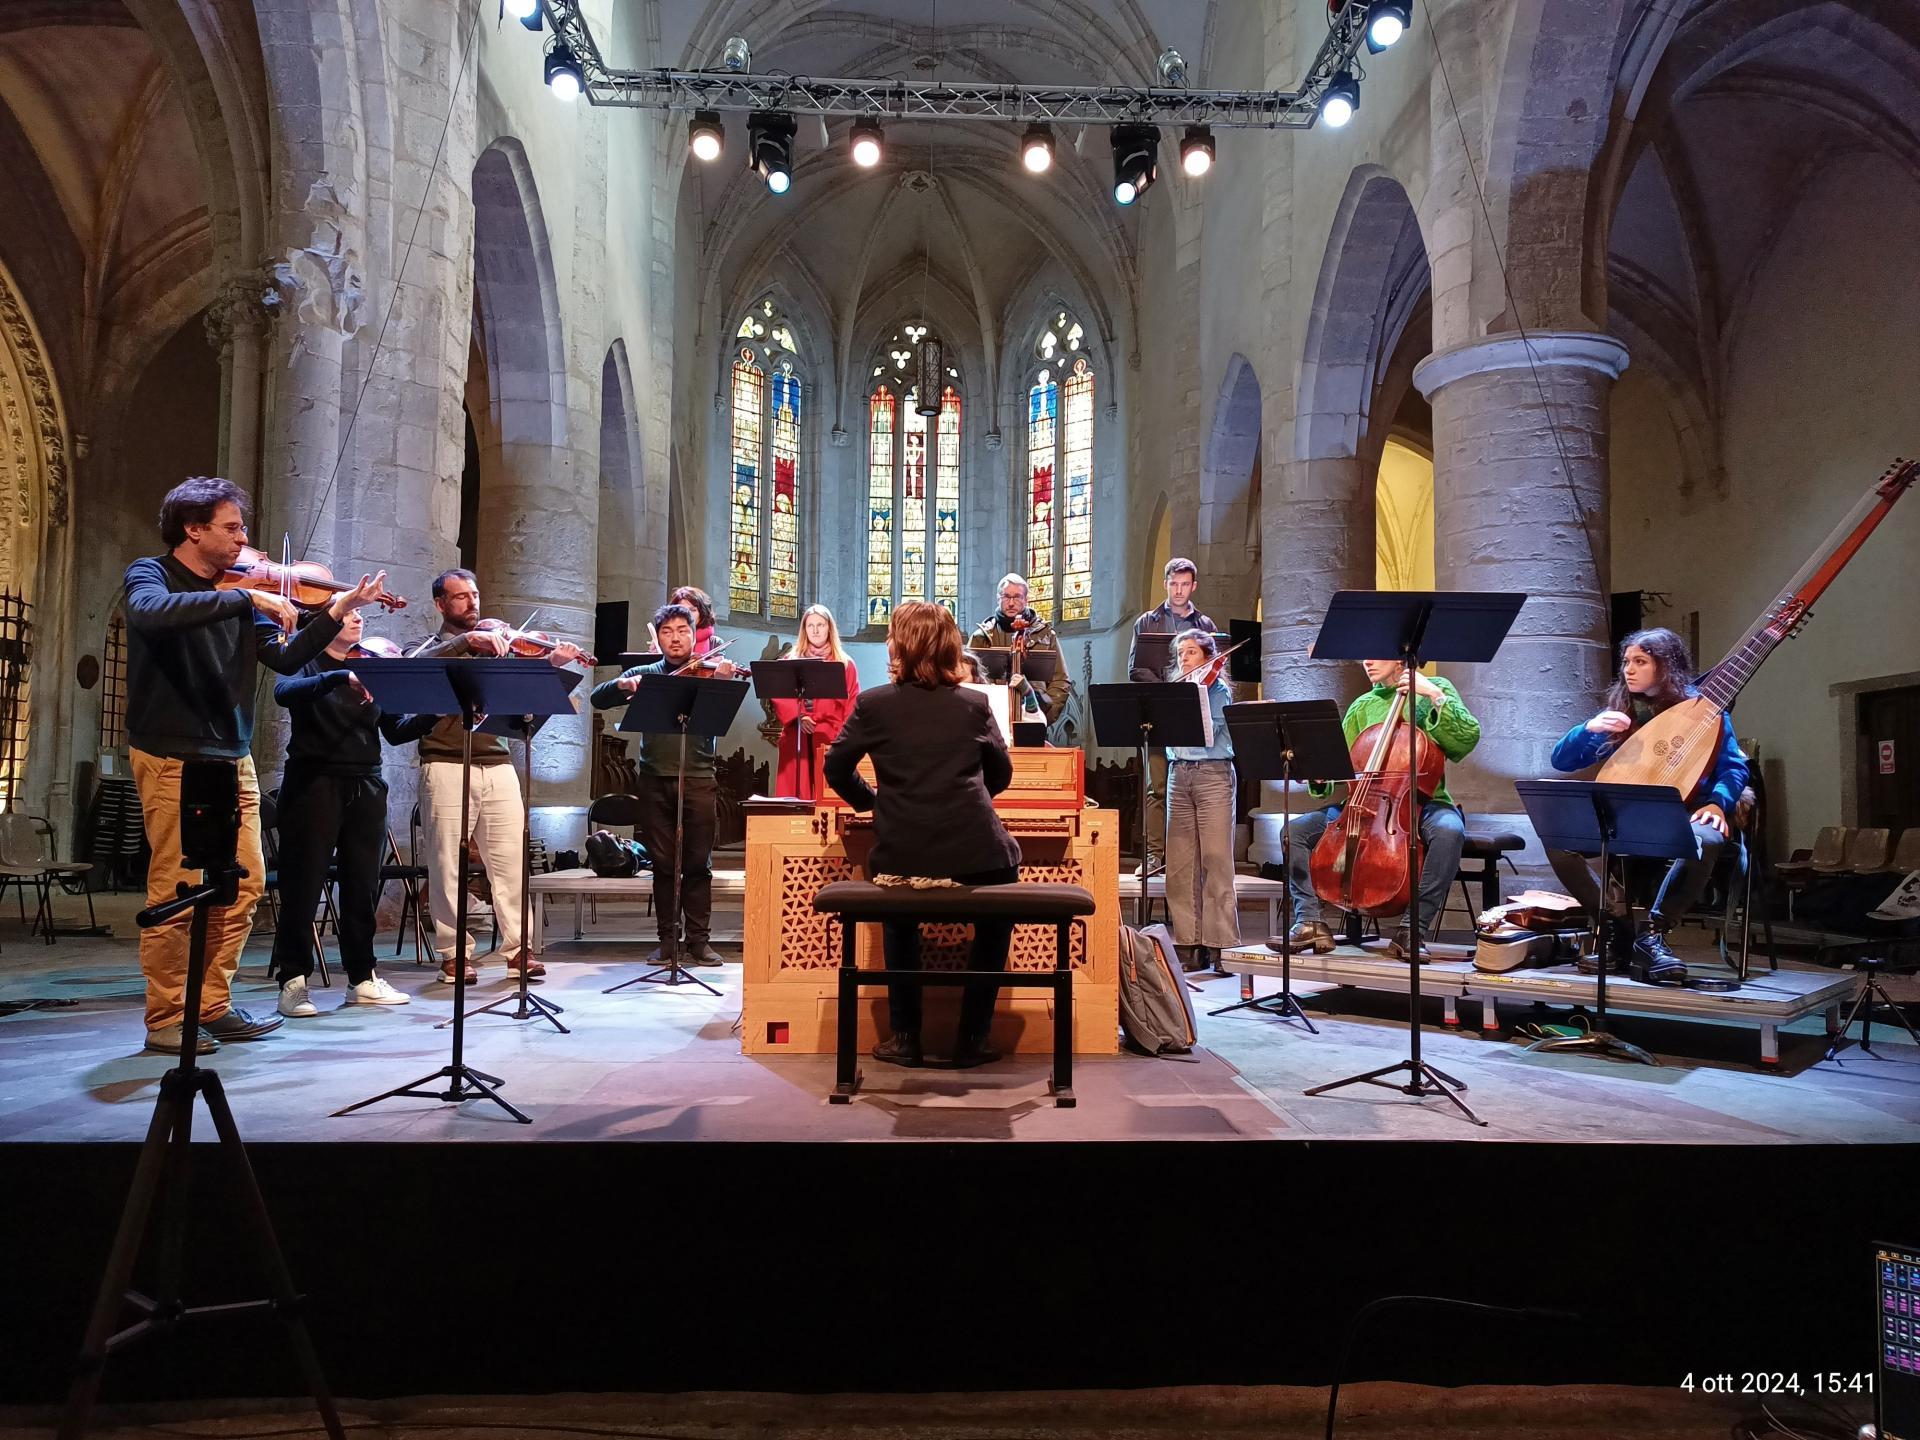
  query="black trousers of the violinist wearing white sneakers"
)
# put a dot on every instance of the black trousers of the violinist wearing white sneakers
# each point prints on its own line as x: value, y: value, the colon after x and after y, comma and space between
x: 325, y: 817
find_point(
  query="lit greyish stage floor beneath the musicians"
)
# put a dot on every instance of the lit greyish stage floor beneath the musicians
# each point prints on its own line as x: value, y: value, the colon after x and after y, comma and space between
x: 654, y: 1065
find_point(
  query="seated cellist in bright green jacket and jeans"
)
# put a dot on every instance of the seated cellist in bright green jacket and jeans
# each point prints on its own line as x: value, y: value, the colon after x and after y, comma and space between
x: 1451, y: 725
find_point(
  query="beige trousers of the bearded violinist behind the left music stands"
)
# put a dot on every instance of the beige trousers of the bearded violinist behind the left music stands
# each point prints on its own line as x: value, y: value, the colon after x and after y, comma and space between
x: 496, y: 823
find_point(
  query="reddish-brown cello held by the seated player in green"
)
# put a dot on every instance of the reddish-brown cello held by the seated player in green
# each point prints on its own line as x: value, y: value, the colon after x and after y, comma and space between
x: 1362, y: 857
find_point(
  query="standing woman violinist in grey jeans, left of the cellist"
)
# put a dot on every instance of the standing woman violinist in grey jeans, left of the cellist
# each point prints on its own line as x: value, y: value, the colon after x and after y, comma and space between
x: 1201, y: 788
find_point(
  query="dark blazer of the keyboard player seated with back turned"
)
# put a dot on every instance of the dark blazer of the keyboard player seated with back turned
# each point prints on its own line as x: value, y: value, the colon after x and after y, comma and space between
x: 940, y: 761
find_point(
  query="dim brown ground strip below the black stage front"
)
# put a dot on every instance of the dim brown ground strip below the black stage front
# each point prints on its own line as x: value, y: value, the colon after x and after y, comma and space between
x: 1257, y: 1412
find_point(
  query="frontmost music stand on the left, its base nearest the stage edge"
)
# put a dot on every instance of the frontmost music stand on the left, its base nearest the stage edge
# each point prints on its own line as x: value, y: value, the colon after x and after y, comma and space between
x: 469, y: 688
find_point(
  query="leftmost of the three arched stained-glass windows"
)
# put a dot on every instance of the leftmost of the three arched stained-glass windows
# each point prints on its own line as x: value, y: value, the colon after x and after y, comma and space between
x: 767, y: 420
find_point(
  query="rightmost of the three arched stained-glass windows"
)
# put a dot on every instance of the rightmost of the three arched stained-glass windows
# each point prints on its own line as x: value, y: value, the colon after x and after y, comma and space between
x: 1061, y: 391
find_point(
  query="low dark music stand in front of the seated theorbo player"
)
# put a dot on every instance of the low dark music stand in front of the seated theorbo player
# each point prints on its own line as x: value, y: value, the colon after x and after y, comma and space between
x: 1616, y: 823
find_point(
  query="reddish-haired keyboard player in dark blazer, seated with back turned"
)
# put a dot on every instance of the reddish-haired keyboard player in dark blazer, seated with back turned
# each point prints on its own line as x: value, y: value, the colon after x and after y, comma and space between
x: 940, y: 761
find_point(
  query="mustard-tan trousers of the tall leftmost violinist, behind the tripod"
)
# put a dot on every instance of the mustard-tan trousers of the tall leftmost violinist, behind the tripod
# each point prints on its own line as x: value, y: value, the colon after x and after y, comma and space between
x: 164, y: 949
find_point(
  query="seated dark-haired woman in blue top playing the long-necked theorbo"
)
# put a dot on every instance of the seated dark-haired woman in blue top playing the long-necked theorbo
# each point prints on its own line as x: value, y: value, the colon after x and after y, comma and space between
x: 1656, y: 673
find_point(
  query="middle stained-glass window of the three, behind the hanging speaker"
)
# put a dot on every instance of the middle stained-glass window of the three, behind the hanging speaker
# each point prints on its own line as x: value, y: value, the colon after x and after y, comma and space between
x: 915, y: 483
